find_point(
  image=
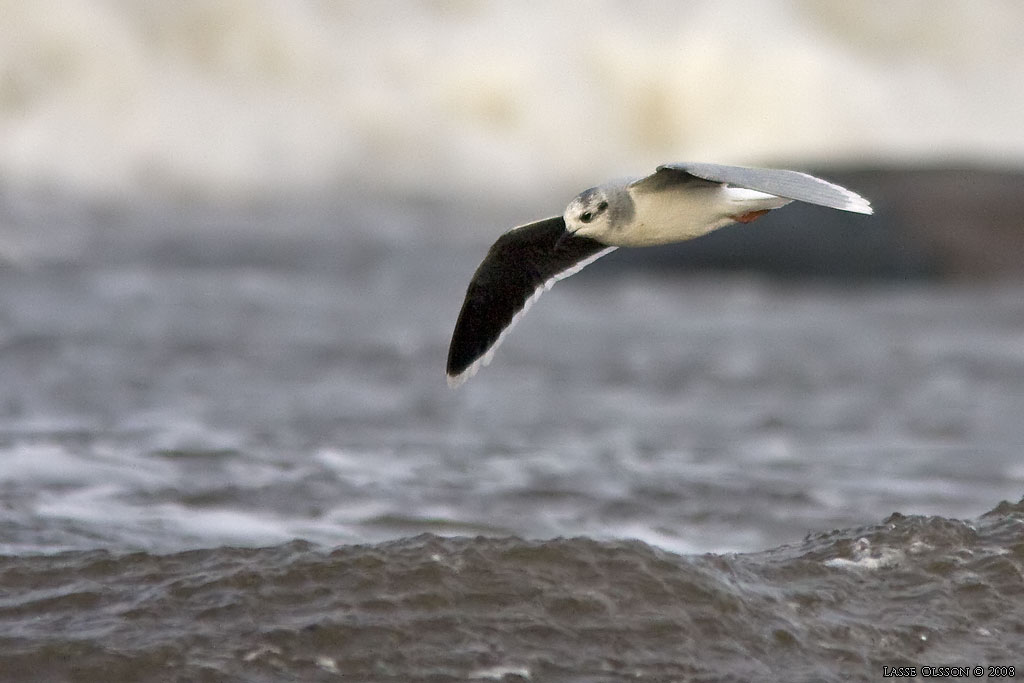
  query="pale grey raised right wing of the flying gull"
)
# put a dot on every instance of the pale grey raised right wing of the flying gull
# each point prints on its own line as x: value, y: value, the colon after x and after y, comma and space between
x: 789, y: 185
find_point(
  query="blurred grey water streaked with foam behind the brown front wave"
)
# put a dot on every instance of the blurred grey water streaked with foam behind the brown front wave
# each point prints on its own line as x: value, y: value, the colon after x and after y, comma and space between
x: 170, y: 407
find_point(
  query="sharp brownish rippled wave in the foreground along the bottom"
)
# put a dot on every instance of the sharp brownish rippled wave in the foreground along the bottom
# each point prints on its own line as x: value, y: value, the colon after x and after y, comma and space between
x: 838, y: 607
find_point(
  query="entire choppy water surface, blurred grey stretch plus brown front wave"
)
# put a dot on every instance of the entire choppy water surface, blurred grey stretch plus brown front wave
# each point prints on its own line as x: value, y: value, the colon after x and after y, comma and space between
x: 168, y: 409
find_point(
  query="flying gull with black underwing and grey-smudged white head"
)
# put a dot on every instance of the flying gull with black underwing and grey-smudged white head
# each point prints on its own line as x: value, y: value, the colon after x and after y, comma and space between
x: 678, y: 202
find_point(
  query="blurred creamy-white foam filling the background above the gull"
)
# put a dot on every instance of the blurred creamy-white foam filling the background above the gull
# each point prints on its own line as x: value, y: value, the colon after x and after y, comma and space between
x: 244, y: 98
